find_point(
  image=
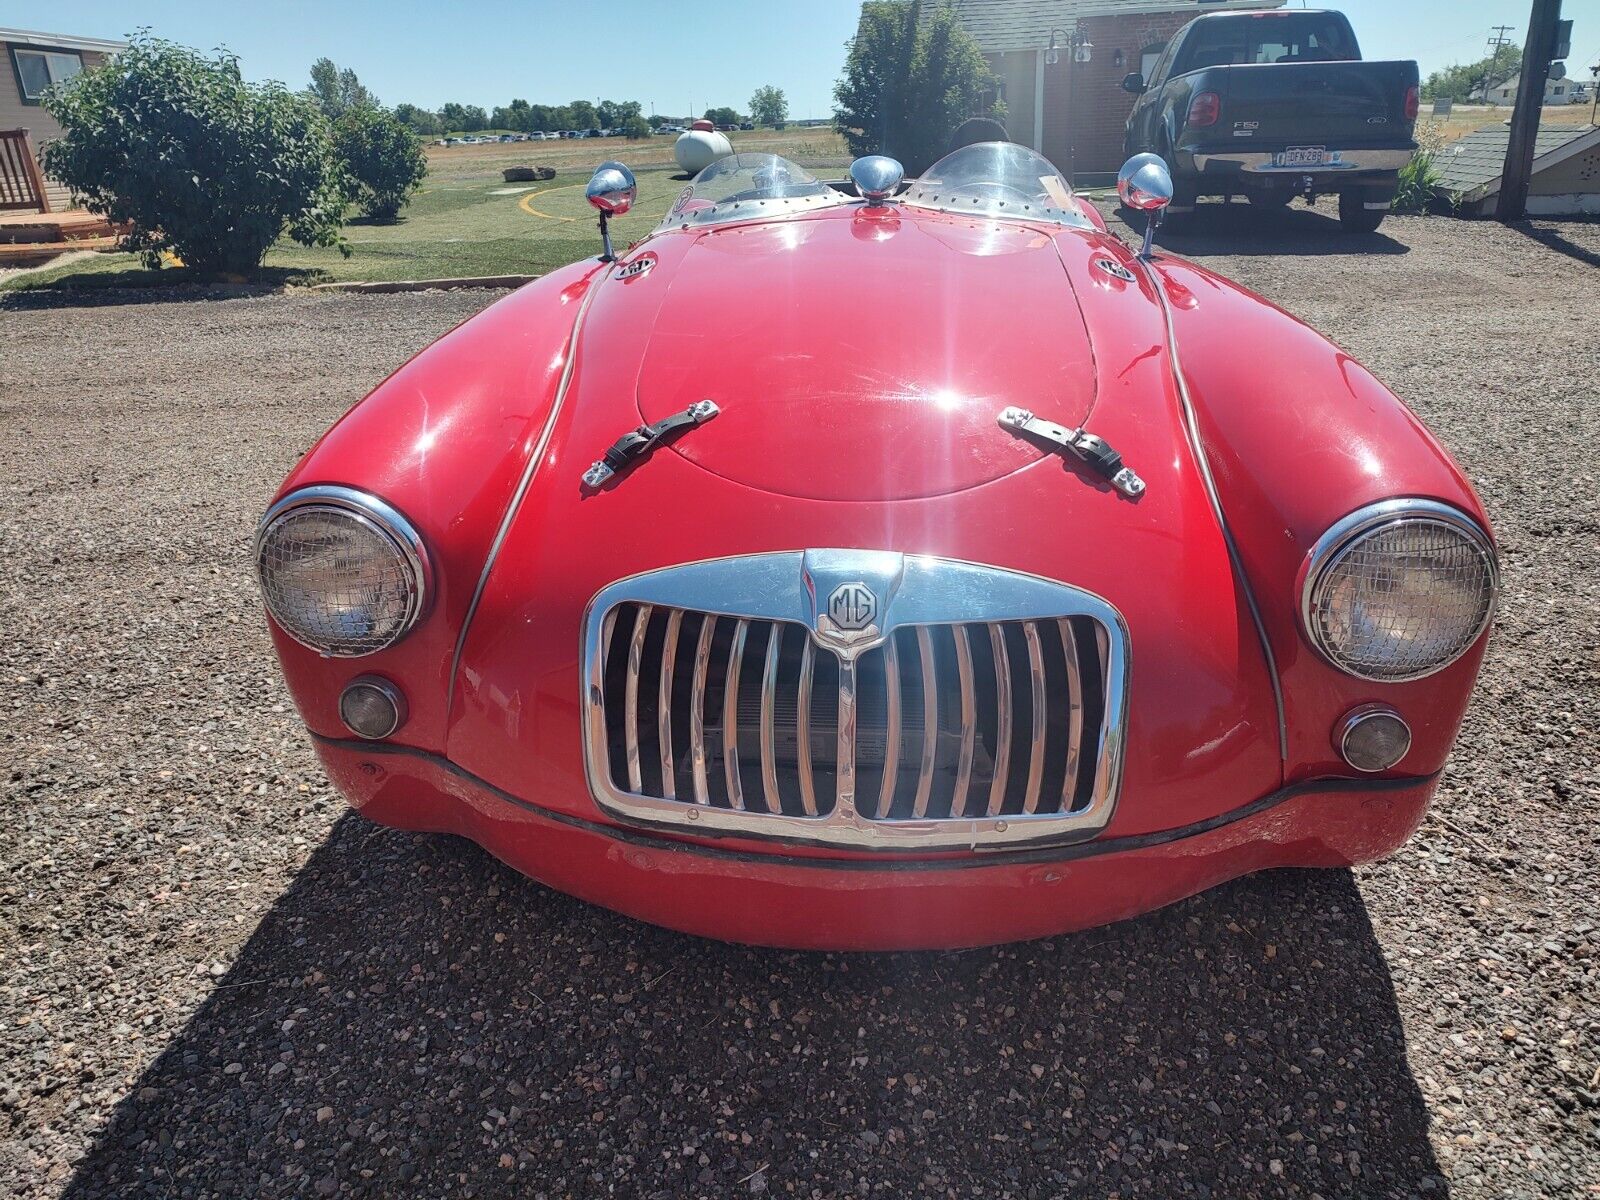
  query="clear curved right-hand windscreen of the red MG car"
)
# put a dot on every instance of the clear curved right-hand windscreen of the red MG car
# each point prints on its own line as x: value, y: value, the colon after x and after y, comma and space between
x: 998, y: 180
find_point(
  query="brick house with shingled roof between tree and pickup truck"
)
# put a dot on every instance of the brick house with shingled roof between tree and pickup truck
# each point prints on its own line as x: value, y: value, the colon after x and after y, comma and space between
x: 1071, y: 111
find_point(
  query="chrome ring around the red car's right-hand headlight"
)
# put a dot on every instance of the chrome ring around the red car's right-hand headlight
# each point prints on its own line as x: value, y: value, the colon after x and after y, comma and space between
x: 1353, y: 532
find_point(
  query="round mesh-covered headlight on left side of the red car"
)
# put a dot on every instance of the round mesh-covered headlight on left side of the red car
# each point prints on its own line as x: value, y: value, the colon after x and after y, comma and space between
x: 342, y: 572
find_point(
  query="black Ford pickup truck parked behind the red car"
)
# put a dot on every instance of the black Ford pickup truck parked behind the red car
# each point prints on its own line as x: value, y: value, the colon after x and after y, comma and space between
x: 1274, y: 105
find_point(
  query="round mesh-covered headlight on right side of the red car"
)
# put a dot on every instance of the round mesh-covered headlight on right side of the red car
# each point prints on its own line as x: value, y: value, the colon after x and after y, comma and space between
x: 1399, y: 591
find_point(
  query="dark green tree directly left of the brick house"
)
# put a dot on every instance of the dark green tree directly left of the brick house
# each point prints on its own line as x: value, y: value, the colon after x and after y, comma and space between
x: 910, y: 82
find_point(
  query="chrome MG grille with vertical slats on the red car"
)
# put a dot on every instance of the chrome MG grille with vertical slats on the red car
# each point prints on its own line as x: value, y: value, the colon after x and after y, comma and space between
x: 934, y: 734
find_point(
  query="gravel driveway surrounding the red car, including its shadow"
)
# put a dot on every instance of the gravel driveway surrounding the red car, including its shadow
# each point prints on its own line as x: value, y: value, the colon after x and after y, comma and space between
x: 215, y: 982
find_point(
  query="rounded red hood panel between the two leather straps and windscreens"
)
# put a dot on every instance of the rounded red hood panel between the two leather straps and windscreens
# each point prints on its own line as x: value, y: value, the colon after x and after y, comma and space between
x: 881, y: 346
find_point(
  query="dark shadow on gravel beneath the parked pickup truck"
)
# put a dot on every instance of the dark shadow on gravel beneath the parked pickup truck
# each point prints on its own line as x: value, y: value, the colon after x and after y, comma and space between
x: 1247, y: 230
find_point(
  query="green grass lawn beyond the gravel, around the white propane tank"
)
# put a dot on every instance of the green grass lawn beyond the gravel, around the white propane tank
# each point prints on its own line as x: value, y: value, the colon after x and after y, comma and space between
x: 468, y: 222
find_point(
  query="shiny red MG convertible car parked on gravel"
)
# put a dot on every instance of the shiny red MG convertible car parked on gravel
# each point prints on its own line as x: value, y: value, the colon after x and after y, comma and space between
x: 884, y: 564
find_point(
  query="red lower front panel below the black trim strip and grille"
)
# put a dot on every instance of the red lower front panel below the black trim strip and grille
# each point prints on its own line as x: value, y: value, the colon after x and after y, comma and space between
x: 807, y: 902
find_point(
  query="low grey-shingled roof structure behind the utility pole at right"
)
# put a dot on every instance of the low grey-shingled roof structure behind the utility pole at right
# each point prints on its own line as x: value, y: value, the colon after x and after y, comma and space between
x: 1566, y: 172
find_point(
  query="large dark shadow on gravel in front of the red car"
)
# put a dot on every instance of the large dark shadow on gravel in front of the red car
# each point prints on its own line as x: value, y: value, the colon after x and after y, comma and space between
x: 414, y: 1018
